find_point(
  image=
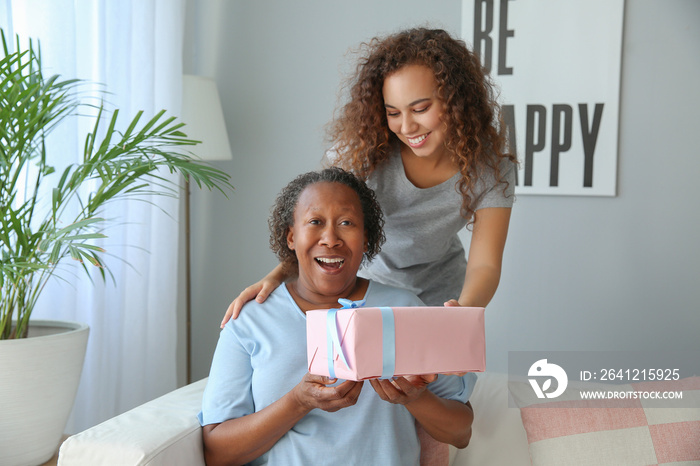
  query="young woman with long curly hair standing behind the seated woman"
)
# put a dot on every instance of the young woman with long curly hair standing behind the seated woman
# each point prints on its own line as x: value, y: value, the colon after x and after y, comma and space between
x: 423, y: 127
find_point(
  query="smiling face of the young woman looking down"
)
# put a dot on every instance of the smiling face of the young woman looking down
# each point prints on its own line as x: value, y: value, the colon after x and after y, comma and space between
x: 413, y: 111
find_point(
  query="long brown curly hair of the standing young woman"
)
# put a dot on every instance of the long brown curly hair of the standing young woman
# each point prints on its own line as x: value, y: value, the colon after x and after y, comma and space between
x: 476, y: 135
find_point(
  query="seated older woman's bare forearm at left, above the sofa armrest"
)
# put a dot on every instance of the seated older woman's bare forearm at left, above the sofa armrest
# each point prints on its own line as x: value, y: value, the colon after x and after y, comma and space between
x: 241, y: 440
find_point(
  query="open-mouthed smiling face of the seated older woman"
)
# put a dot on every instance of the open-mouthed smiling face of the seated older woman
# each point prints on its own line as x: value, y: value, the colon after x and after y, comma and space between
x: 328, y: 238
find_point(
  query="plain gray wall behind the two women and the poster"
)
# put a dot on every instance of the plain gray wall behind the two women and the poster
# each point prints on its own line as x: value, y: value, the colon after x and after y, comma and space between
x: 580, y: 273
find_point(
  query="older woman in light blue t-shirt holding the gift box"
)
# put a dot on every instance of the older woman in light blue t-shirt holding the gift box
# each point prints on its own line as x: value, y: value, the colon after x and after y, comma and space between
x: 261, y: 406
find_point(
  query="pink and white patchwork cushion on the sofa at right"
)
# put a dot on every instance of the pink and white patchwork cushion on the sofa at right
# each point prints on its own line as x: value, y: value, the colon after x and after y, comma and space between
x: 613, y: 432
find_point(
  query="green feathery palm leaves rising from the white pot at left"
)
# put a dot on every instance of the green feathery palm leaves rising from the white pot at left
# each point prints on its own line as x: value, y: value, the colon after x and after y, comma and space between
x: 35, y: 239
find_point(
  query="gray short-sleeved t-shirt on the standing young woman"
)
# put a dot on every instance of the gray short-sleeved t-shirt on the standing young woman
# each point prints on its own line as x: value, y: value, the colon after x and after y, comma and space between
x: 422, y: 252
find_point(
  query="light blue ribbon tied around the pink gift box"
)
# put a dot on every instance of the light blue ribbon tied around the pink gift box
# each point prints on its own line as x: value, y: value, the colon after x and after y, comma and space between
x: 388, y: 338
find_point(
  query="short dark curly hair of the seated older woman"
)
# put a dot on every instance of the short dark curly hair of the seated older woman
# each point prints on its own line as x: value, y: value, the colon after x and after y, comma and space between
x: 282, y: 216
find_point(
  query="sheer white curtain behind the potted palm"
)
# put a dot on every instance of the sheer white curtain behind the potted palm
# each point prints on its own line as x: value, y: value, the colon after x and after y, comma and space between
x: 134, y: 48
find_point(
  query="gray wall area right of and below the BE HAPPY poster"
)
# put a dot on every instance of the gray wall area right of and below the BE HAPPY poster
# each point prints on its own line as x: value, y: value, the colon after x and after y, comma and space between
x: 620, y: 273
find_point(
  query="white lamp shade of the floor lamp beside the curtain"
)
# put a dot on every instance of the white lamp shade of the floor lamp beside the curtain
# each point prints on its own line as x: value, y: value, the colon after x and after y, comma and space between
x: 204, y: 118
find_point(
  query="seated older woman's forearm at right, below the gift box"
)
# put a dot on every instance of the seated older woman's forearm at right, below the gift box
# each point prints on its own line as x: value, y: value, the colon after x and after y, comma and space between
x: 447, y: 421
